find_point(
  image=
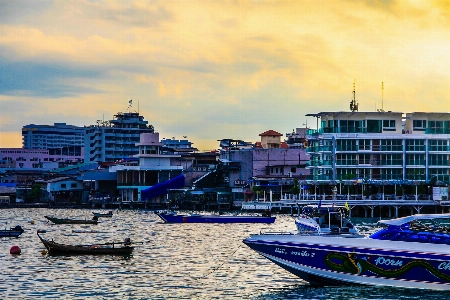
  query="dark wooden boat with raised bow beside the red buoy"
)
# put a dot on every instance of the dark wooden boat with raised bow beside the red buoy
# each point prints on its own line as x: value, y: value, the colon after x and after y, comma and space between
x: 111, y: 248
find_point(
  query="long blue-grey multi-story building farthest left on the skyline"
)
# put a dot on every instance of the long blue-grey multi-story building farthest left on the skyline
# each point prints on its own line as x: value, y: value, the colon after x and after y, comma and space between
x: 59, y: 138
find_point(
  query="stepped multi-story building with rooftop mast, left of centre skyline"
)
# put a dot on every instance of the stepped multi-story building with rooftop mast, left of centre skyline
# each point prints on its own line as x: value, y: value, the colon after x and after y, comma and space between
x: 116, y: 139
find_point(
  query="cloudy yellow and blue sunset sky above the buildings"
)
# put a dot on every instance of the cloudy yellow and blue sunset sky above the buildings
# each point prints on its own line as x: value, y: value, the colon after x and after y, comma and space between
x: 212, y: 70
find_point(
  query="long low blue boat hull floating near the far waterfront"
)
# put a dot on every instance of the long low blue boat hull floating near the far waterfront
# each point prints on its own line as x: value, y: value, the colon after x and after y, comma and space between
x: 172, y: 218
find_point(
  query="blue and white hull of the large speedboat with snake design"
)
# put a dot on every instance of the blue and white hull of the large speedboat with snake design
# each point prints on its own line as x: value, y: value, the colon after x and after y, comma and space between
x: 345, y: 260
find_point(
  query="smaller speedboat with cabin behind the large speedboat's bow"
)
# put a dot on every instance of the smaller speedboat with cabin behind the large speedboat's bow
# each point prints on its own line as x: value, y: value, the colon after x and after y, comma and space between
x: 324, y: 219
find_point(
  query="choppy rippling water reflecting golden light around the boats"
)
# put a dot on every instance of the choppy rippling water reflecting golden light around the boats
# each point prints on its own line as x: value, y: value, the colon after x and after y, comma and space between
x: 175, y: 261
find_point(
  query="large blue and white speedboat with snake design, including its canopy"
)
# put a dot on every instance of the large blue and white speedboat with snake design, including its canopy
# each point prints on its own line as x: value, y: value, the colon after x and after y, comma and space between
x: 409, y: 252
